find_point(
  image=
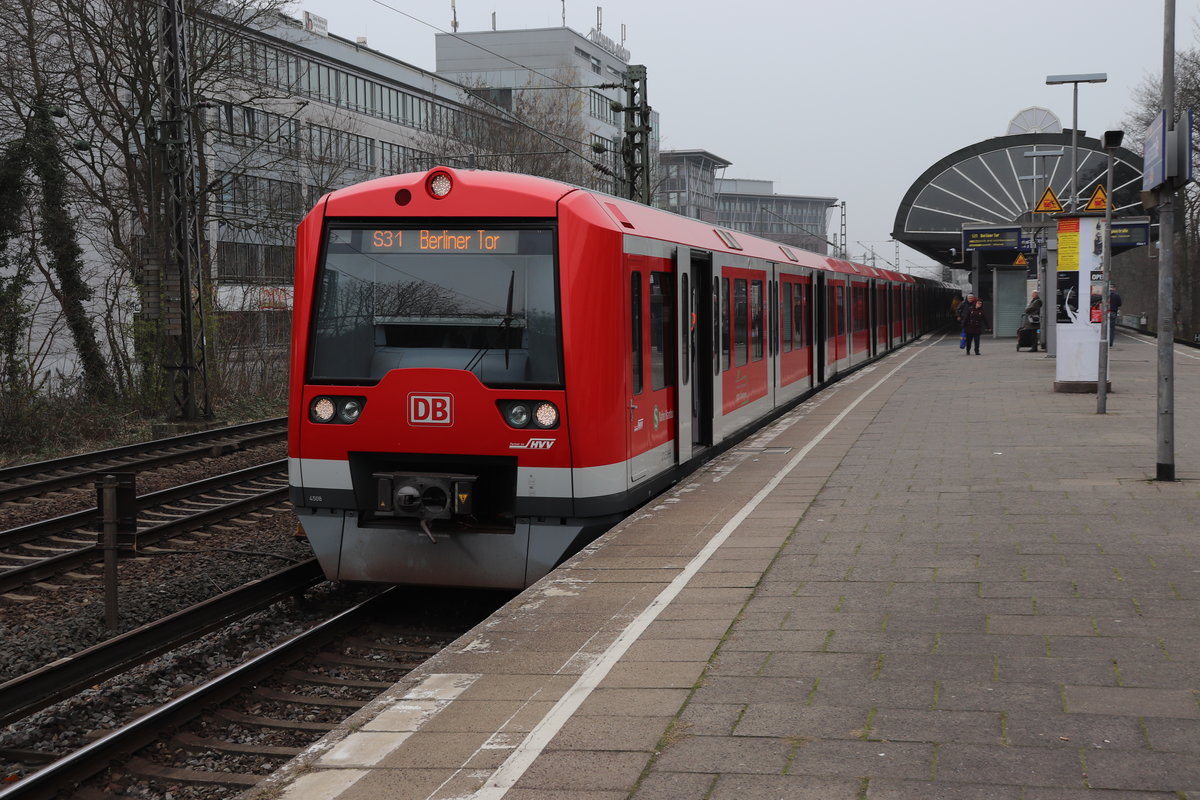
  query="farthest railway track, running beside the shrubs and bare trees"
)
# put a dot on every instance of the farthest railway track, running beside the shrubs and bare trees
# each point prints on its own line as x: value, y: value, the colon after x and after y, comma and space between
x: 41, y: 478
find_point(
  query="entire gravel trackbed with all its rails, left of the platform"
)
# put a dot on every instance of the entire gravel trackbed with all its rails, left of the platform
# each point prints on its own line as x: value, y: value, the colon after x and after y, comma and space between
x: 75, y: 702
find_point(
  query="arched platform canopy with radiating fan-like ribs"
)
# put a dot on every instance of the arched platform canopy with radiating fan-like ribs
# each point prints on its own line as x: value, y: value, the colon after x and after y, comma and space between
x: 995, y: 183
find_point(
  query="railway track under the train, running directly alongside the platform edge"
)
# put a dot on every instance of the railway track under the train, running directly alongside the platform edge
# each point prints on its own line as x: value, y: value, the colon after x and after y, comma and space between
x: 235, y: 730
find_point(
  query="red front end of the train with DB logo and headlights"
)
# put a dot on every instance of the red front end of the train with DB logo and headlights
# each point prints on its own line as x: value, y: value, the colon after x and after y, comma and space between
x: 431, y: 434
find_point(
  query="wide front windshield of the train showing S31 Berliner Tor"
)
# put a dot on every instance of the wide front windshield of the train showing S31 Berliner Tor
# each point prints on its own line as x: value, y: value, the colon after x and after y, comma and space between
x: 478, y: 299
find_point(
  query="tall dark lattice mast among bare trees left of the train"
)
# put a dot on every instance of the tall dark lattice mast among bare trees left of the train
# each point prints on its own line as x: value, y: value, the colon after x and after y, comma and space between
x: 184, y: 294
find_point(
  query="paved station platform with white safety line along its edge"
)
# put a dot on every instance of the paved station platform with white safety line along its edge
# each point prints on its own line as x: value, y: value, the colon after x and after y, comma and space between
x: 938, y: 580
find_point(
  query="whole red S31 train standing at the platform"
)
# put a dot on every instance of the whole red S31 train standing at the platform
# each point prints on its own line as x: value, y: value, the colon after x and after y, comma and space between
x: 489, y: 370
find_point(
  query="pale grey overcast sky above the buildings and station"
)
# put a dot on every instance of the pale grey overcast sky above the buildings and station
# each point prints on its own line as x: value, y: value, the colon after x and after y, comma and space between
x: 847, y: 99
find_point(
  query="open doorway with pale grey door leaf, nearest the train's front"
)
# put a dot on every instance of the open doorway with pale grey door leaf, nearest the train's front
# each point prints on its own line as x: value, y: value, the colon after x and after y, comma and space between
x: 694, y: 380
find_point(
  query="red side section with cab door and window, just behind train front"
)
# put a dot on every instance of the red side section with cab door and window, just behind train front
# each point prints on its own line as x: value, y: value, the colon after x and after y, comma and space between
x: 652, y: 364
